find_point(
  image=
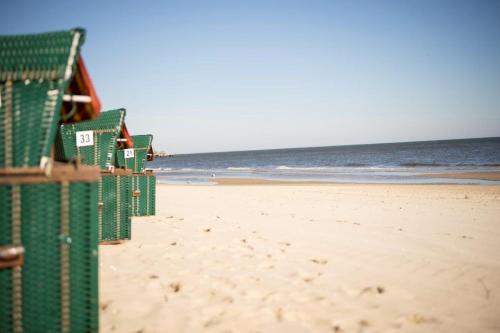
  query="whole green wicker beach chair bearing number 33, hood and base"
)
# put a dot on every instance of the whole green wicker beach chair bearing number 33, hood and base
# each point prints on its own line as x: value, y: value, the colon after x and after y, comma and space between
x: 94, y: 142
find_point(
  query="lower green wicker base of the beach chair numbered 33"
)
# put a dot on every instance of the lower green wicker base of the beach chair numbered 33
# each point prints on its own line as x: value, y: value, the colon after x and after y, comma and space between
x: 114, y: 202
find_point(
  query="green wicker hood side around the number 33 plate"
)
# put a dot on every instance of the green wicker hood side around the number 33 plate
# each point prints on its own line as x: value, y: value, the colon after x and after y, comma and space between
x: 106, y: 130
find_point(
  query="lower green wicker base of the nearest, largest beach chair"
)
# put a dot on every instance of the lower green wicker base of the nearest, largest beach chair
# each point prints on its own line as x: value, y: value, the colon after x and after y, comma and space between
x: 48, y: 251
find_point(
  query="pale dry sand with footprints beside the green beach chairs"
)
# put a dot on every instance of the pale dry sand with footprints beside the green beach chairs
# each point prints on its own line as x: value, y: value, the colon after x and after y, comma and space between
x: 308, y: 258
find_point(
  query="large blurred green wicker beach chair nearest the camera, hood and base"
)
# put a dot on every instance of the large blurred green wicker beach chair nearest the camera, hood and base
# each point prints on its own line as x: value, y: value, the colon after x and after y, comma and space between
x: 48, y: 214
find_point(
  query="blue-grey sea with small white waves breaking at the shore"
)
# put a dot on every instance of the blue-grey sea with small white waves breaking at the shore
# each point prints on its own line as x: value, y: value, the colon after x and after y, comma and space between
x: 402, y: 162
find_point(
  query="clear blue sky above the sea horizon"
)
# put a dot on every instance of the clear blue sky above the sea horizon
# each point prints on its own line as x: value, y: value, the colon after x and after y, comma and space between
x: 233, y: 75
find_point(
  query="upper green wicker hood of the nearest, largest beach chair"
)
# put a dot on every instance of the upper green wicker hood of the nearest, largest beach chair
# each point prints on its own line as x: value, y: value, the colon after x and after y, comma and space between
x: 42, y: 80
